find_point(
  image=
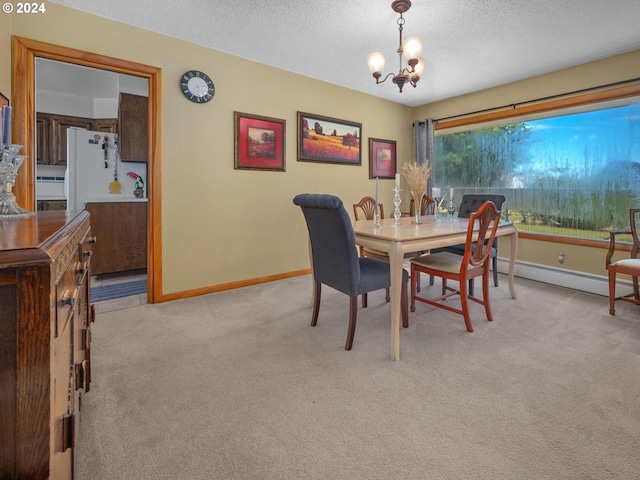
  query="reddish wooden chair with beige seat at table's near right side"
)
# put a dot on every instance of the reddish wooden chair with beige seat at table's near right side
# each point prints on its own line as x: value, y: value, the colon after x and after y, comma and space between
x: 473, y: 264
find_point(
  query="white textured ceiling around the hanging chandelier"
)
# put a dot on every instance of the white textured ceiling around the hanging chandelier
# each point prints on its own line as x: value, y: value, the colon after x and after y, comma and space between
x: 470, y: 45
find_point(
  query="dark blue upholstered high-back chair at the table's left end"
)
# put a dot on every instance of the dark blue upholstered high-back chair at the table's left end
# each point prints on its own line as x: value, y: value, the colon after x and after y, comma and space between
x: 335, y: 258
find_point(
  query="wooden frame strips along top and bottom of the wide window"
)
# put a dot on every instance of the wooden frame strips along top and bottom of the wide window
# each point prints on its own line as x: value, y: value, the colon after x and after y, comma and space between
x: 547, y: 107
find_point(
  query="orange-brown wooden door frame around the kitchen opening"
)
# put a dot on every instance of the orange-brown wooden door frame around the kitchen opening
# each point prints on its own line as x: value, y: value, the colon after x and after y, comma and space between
x: 25, y: 52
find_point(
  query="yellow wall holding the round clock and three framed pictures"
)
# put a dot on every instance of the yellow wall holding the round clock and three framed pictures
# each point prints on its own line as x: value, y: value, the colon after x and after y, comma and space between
x: 222, y: 225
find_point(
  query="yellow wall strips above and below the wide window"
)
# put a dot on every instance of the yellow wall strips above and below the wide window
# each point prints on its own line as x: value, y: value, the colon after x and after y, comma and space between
x: 602, y: 72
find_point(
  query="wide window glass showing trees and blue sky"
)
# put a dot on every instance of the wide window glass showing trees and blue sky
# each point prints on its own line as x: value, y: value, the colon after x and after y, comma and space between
x: 572, y: 172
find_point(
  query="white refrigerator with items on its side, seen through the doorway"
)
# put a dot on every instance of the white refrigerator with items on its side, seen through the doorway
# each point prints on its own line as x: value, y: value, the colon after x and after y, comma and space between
x: 94, y: 170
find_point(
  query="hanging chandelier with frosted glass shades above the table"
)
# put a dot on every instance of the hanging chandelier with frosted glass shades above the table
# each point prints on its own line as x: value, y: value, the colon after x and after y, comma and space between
x: 410, y: 47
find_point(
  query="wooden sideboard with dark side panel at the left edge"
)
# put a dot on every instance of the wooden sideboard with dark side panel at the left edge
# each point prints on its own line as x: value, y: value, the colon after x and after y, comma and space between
x: 45, y: 363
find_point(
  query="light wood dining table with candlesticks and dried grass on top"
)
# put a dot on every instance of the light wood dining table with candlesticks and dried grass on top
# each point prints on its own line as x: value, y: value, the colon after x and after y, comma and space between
x: 407, y: 236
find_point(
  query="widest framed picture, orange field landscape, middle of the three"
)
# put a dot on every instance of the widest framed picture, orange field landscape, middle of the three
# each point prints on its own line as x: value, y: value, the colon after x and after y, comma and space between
x: 328, y: 140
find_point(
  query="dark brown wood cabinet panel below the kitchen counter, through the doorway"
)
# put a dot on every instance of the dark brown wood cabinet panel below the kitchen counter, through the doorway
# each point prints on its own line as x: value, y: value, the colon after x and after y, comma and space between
x: 121, y: 228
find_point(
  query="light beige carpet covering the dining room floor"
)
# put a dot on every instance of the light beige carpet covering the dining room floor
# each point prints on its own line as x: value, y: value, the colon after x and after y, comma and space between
x: 237, y: 385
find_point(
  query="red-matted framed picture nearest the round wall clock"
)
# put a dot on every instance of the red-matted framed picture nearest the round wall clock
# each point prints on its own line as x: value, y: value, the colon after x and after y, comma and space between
x: 260, y: 143
